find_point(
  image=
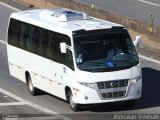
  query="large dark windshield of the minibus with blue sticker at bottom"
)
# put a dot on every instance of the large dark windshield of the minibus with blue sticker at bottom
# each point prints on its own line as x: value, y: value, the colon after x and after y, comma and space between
x: 105, y: 52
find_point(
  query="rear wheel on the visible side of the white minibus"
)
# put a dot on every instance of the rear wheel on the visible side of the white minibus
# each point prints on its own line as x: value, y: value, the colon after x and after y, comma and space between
x: 32, y: 89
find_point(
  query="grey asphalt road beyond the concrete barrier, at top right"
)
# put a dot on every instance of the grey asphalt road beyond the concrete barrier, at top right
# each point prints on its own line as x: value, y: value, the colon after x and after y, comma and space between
x: 139, y: 9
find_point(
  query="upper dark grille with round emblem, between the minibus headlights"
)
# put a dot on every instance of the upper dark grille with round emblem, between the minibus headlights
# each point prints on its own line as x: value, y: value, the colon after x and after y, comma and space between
x: 112, y: 84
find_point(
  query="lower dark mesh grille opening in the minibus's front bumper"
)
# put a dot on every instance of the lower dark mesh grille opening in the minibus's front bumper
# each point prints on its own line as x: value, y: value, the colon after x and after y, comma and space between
x: 114, y: 94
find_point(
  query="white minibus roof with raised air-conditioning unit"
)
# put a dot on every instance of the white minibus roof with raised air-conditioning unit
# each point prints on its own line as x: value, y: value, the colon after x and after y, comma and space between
x: 62, y: 18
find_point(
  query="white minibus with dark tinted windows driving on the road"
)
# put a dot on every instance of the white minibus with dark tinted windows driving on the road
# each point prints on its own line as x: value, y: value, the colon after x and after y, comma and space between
x: 73, y: 56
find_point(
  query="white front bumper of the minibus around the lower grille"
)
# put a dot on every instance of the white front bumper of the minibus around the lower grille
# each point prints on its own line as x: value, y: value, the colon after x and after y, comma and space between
x: 94, y: 95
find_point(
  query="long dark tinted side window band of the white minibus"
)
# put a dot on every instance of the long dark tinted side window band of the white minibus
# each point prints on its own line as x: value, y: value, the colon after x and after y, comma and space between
x: 39, y: 41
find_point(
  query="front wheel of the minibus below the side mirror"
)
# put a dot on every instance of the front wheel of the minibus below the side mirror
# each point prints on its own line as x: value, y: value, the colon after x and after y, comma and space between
x: 74, y: 106
